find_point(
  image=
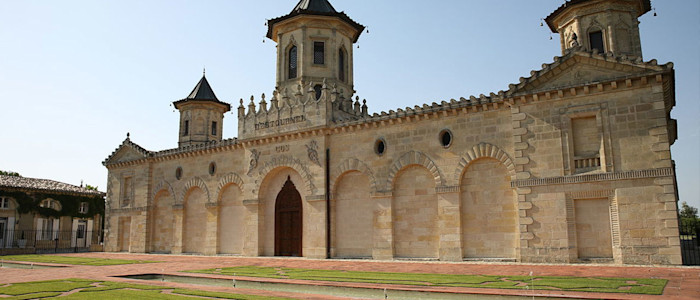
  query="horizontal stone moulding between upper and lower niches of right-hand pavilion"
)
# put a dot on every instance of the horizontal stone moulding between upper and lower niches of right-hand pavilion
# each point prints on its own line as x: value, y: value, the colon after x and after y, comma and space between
x: 587, y: 178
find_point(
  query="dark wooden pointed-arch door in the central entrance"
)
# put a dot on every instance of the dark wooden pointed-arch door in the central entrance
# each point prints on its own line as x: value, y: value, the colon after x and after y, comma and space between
x: 288, y: 221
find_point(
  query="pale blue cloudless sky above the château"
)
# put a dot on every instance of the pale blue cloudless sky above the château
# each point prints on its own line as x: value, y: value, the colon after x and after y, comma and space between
x: 75, y: 76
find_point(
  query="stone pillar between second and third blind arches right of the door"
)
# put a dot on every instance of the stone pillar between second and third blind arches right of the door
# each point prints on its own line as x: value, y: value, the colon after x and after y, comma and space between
x: 449, y: 222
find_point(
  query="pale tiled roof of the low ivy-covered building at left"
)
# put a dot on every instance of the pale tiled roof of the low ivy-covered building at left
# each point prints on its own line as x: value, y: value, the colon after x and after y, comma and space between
x: 45, y: 185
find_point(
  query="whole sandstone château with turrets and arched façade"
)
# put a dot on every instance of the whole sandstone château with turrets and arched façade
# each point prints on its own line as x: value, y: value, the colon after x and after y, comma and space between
x: 571, y: 164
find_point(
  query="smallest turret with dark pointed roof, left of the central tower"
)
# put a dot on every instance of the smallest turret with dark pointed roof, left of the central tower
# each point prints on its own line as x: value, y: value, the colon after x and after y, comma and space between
x: 201, y: 115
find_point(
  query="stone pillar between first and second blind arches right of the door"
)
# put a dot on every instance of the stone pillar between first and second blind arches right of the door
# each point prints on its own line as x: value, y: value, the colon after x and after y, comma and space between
x: 383, y: 239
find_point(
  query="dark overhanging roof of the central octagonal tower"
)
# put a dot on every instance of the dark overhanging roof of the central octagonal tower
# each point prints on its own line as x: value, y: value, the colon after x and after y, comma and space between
x: 316, y: 8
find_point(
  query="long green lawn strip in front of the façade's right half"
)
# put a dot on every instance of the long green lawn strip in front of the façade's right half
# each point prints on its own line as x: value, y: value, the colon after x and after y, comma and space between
x: 582, y: 284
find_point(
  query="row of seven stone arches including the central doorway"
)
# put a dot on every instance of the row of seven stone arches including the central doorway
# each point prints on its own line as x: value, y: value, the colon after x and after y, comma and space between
x: 414, y: 219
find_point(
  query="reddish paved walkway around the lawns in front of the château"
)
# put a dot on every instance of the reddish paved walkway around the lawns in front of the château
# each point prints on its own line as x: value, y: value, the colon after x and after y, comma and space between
x: 684, y: 282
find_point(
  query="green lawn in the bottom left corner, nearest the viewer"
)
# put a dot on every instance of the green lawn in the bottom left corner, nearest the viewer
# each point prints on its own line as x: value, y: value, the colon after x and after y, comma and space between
x: 91, y: 289
